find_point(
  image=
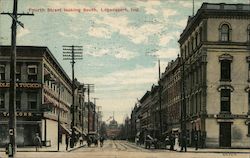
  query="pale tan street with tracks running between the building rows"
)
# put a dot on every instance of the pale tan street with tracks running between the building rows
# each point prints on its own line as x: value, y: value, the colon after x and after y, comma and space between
x: 124, y: 149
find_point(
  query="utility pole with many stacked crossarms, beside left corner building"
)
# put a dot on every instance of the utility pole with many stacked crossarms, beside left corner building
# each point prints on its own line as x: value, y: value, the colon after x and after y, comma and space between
x: 72, y: 53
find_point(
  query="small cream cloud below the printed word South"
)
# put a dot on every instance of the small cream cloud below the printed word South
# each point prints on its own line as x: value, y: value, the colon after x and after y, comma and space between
x: 99, y: 32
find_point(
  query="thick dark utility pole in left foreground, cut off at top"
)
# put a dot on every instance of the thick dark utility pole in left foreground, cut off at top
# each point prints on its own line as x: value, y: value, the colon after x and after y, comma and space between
x: 12, y: 90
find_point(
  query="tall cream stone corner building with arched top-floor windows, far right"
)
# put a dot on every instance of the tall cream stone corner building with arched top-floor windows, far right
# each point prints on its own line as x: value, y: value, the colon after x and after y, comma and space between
x: 216, y: 57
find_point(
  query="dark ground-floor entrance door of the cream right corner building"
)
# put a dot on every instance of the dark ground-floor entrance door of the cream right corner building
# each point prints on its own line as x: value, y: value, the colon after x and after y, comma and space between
x: 225, y: 134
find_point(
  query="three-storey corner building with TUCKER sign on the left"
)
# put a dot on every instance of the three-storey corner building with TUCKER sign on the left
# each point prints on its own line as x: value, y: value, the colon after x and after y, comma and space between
x: 44, y: 96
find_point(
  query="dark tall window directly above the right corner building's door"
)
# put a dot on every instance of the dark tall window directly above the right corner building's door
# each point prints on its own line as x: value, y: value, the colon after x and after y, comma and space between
x: 225, y: 100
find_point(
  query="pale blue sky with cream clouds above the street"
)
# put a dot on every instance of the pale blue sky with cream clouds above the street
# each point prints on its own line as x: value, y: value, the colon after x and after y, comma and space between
x: 122, y: 41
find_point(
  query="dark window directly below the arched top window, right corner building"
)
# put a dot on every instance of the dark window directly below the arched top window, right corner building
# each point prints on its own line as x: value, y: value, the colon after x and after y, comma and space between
x: 225, y: 70
